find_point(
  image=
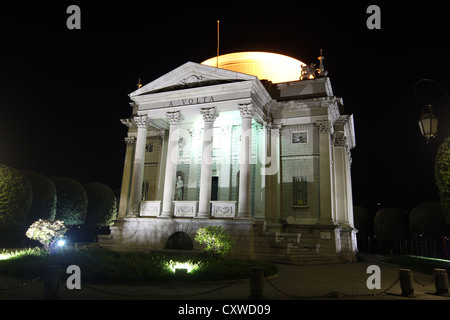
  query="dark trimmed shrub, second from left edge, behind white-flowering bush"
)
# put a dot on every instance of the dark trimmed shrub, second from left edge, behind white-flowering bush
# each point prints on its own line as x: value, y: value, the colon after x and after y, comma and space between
x: 43, y: 205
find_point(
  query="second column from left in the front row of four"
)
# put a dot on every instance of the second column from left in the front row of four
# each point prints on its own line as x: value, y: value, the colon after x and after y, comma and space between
x: 175, y: 118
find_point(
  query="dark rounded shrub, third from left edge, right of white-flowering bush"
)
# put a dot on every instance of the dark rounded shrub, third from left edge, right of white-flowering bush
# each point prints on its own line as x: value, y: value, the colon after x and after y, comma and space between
x: 71, y: 201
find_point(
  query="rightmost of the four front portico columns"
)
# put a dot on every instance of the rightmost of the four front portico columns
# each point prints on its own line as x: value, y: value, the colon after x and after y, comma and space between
x: 247, y: 112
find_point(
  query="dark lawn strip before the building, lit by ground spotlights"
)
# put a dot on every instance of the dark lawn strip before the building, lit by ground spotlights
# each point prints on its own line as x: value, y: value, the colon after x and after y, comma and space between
x: 103, y: 265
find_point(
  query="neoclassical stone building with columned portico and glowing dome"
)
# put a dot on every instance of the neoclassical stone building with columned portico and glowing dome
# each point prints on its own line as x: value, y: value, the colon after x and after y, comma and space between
x: 255, y: 142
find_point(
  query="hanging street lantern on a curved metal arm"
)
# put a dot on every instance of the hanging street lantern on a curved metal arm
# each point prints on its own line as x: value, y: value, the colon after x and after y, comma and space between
x: 428, y: 122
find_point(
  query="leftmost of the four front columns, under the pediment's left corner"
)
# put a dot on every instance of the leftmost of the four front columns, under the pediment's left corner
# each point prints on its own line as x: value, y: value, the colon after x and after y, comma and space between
x: 142, y: 123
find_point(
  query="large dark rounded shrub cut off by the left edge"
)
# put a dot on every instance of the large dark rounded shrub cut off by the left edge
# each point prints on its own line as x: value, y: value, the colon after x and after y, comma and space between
x: 15, y: 196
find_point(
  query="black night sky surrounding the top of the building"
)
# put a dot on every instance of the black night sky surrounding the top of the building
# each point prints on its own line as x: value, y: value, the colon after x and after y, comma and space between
x: 63, y: 92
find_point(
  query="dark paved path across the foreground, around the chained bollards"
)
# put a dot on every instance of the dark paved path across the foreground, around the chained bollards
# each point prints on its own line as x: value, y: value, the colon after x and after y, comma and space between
x: 293, y: 283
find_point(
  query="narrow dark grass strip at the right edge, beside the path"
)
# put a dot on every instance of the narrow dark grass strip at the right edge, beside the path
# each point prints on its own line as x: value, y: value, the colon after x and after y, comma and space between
x: 418, y: 262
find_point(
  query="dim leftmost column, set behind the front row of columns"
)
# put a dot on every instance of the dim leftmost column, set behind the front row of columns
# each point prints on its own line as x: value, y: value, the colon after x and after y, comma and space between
x: 126, y: 178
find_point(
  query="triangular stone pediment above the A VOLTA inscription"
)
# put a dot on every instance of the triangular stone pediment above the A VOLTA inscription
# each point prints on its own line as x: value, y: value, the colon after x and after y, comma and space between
x: 190, y: 75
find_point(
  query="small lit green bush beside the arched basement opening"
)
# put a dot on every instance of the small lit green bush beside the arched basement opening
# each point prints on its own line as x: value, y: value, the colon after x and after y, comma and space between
x: 216, y: 239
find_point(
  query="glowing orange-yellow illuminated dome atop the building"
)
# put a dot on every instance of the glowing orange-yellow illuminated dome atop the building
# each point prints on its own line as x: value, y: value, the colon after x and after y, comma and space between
x: 265, y: 65
